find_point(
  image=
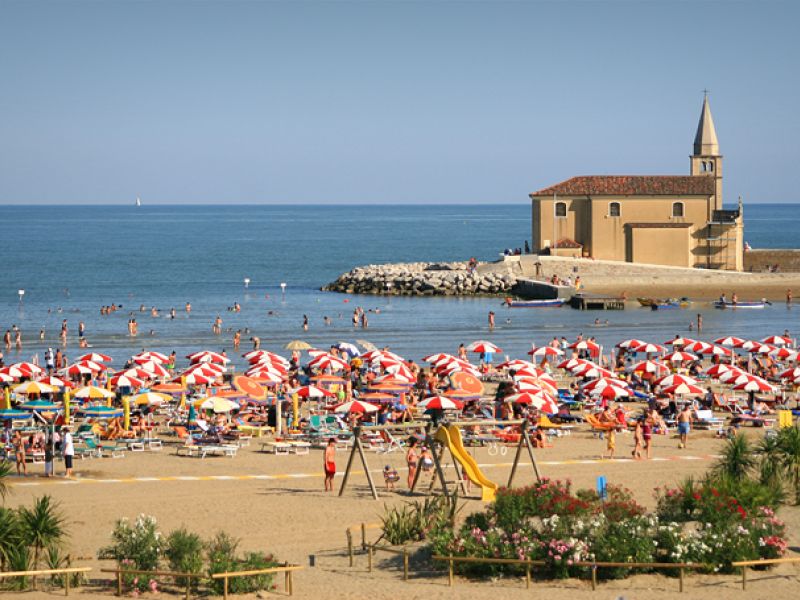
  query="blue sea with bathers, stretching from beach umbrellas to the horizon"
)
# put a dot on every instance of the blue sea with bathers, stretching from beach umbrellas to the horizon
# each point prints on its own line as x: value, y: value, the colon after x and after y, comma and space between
x: 71, y: 260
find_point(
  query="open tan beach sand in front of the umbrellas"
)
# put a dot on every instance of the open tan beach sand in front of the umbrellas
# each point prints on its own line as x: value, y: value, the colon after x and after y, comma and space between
x: 289, y: 514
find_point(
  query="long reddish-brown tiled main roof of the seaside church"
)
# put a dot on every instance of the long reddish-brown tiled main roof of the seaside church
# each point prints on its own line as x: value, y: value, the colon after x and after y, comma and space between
x: 632, y: 185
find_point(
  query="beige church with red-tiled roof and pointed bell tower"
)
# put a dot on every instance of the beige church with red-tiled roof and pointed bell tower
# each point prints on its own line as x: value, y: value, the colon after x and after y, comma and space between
x: 673, y: 220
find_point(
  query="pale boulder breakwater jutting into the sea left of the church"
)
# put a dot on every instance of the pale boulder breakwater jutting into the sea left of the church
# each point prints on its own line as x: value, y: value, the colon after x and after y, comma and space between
x: 425, y: 279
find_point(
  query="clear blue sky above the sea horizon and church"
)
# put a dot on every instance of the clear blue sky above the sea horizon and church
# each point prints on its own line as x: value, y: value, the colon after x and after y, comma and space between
x: 387, y: 102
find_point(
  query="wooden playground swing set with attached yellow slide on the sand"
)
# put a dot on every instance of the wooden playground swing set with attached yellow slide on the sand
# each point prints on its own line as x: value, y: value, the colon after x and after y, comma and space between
x: 446, y: 437
